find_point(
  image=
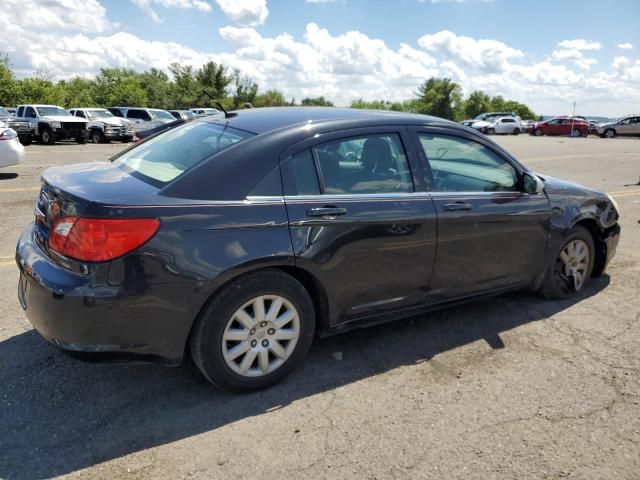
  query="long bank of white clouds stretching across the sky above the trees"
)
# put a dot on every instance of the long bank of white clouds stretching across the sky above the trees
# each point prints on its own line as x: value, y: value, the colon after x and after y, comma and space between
x: 344, y: 66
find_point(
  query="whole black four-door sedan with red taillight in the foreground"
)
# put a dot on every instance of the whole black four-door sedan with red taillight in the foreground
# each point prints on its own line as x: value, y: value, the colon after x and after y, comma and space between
x: 239, y: 238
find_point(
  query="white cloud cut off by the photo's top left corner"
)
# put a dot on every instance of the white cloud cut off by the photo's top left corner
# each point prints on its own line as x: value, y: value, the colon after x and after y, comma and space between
x: 76, y: 15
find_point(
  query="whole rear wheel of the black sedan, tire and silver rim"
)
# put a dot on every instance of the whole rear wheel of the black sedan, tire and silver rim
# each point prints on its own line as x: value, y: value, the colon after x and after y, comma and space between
x: 254, y: 332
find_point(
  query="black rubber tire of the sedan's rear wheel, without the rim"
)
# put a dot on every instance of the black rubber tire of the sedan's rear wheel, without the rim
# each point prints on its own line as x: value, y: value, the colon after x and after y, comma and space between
x: 206, y: 337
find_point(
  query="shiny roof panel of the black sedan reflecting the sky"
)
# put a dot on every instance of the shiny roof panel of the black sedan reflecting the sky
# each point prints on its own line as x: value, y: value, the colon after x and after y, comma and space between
x: 262, y: 120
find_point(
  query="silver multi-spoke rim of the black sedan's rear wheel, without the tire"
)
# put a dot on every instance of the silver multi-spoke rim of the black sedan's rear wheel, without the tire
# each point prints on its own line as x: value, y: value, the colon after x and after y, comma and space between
x: 260, y: 336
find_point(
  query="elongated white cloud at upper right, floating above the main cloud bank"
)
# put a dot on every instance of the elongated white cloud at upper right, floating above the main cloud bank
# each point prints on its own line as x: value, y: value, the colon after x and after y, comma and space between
x: 487, y: 55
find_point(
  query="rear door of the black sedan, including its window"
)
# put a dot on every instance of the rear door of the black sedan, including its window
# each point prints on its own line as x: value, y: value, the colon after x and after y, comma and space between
x: 360, y: 220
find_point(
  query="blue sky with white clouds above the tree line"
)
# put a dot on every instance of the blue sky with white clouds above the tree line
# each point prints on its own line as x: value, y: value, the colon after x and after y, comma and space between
x: 547, y: 54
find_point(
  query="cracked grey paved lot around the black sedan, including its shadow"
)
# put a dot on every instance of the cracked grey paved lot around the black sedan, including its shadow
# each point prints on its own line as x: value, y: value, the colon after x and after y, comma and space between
x: 512, y: 387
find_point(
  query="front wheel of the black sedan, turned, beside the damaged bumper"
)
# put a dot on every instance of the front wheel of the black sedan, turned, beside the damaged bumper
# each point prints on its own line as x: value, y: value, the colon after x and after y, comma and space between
x: 572, y: 266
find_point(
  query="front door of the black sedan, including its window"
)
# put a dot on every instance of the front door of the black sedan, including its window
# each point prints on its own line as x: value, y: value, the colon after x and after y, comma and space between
x: 491, y: 235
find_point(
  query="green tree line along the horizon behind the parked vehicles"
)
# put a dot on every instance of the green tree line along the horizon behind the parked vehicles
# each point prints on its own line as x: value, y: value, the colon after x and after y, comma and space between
x: 184, y: 85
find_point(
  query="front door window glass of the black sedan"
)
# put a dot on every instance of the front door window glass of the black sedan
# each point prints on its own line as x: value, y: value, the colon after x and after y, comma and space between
x: 461, y: 165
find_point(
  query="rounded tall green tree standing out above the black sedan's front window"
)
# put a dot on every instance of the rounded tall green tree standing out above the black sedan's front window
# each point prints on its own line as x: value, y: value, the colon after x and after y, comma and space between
x: 440, y: 97
